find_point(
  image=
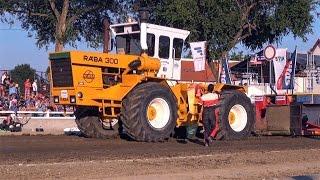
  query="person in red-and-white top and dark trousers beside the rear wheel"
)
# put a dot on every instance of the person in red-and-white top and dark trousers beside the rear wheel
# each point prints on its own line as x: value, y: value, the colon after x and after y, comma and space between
x: 208, y: 101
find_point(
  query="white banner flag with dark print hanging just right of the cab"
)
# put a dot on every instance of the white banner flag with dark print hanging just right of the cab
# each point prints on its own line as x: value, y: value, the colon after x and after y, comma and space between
x: 198, y: 50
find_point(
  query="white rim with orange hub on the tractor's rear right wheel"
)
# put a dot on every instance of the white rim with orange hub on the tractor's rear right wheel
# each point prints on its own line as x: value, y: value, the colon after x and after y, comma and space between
x: 238, y: 118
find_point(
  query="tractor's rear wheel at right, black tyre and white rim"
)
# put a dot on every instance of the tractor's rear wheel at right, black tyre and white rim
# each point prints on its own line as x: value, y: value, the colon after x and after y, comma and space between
x: 236, y: 116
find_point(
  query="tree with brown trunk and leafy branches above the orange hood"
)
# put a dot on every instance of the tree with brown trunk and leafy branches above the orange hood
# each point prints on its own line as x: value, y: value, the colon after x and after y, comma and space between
x: 63, y: 21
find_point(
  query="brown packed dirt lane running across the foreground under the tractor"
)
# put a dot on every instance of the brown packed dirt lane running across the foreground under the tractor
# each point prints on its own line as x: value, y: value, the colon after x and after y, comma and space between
x: 75, y: 157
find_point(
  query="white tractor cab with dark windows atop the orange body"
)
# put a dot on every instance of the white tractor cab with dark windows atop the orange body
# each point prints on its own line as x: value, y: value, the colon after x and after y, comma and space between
x: 164, y: 43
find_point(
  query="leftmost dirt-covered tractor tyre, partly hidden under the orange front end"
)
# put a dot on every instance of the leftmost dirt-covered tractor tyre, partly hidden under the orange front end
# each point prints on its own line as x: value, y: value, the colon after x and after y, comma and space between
x: 91, y: 126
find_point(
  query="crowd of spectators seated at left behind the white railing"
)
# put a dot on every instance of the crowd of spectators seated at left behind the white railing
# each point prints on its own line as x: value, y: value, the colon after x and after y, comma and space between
x: 12, y: 98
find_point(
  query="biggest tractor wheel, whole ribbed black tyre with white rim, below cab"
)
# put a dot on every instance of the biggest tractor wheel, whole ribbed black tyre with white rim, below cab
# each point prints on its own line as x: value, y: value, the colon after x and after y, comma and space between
x: 149, y: 113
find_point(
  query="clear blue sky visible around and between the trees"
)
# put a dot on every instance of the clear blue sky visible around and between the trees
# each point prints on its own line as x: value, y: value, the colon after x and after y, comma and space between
x: 17, y: 48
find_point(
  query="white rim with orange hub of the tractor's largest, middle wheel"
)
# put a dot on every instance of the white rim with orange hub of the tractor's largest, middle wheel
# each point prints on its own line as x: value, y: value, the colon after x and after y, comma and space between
x: 158, y: 113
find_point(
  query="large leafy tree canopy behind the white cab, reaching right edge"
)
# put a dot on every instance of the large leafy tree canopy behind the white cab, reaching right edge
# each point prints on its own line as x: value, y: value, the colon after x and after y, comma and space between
x: 225, y: 23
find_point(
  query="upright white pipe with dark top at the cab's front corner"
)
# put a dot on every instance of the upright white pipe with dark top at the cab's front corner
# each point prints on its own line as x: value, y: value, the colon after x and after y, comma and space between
x: 144, y: 17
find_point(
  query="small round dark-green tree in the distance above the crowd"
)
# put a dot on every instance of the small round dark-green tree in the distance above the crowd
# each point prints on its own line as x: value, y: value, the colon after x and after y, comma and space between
x: 22, y: 72
